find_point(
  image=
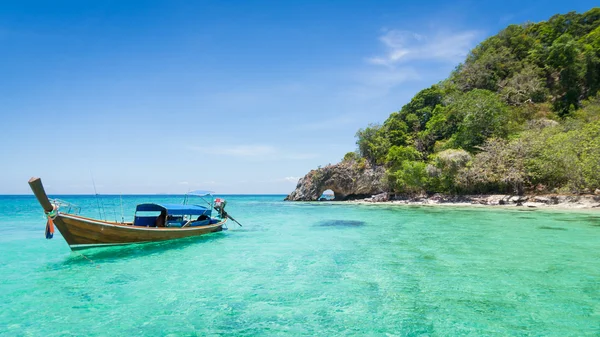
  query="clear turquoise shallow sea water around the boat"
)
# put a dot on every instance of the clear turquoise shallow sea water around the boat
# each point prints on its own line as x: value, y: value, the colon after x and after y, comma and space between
x: 309, y: 269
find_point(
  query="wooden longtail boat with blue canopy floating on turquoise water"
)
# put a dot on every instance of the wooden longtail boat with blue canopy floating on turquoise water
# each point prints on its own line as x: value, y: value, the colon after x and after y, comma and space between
x: 152, y: 222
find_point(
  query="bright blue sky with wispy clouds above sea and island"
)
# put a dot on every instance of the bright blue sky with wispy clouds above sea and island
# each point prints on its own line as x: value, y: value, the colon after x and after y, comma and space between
x: 237, y: 97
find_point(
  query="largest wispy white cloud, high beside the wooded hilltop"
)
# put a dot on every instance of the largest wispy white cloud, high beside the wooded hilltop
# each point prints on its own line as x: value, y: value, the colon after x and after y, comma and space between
x: 403, y: 46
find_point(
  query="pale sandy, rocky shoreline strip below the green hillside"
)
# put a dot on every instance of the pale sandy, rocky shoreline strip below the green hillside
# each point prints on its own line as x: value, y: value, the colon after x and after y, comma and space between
x: 532, y: 201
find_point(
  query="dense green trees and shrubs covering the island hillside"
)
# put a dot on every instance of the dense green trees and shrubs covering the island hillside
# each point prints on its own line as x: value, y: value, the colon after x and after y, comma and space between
x: 520, y: 115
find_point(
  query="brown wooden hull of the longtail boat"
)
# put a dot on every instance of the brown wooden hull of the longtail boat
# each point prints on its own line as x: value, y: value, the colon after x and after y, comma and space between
x: 81, y: 232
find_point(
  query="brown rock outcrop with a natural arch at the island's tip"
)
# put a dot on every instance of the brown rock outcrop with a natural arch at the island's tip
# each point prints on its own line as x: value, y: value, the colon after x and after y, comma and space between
x: 346, y: 180
